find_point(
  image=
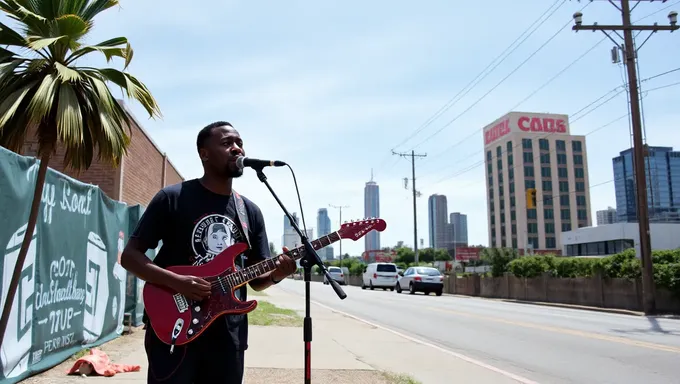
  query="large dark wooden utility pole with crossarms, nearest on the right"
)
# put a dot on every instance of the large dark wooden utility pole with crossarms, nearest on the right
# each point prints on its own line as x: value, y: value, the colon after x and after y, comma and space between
x: 639, y: 152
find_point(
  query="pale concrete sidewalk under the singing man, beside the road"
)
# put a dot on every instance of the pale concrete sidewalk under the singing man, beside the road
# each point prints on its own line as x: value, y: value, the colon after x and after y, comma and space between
x: 344, y: 350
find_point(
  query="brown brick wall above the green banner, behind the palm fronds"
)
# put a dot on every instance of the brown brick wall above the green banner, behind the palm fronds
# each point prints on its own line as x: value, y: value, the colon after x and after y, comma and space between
x: 144, y: 170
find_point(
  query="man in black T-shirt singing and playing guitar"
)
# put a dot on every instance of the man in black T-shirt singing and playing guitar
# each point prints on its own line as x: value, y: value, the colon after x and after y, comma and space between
x: 196, y: 220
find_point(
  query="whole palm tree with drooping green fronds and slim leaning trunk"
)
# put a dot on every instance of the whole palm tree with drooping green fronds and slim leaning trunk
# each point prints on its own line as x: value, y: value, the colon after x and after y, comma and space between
x: 42, y: 89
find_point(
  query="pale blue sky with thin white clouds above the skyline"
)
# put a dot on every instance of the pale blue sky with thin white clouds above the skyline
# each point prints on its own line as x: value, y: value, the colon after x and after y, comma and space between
x: 332, y: 88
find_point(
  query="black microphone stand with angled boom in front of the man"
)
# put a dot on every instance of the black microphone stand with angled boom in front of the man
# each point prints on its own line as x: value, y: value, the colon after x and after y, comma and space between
x: 308, y: 260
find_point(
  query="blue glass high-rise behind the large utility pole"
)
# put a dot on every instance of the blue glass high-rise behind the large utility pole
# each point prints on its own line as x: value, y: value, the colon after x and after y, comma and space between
x: 662, y: 173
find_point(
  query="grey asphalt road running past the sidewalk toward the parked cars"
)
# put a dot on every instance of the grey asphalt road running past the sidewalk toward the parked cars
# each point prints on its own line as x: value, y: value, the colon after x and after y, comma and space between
x: 540, y: 343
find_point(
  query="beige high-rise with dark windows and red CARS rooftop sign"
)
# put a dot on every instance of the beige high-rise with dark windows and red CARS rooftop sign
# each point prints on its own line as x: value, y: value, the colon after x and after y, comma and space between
x: 533, y: 150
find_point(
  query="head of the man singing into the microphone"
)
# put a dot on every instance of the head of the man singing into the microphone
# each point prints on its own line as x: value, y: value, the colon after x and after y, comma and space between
x: 219, y: 144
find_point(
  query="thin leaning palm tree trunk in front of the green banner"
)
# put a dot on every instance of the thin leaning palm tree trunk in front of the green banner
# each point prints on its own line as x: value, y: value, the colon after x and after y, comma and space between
x: 32, y: 220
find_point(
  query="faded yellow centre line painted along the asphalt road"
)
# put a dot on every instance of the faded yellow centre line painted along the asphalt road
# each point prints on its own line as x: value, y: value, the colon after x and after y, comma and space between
x: 588, y: 335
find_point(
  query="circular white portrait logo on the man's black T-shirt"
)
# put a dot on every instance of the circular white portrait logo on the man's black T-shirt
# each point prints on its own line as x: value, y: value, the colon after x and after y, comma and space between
x: 212, y: 235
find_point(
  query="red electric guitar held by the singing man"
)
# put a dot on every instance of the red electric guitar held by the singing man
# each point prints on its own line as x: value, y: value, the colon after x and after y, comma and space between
x: 177, y: 320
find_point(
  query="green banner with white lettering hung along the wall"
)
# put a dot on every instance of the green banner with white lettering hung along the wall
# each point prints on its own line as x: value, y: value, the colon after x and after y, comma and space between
x: 73, y: 292
